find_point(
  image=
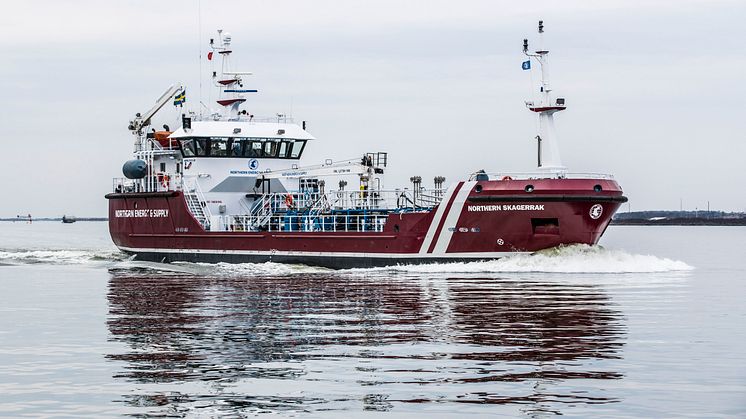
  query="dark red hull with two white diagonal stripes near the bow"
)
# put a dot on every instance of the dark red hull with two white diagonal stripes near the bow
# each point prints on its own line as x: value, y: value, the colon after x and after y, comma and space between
x: 476, y: 221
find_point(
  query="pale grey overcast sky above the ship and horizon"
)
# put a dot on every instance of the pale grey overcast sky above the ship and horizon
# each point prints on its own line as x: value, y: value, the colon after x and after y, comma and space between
x: 654, y: 88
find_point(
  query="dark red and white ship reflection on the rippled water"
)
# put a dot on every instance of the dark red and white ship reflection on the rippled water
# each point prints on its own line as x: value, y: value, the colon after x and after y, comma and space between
x: 336, y: 341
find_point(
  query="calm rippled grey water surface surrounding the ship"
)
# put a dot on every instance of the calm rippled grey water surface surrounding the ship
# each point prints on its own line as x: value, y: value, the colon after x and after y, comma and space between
x: 652, y: 324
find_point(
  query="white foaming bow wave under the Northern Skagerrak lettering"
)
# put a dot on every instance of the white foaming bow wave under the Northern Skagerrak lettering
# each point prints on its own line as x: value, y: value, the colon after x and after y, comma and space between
x: 575, y: 259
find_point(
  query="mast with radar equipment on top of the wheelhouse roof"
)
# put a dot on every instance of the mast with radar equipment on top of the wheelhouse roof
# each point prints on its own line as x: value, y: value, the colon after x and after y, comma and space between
x: 229, y: 82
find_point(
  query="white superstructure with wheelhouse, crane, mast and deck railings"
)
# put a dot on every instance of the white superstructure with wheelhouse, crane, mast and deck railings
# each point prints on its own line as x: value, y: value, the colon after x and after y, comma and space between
x: 235, y: 168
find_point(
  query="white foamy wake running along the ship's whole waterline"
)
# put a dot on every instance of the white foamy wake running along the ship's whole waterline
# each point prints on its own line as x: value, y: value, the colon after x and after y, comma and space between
x: 574, y: 259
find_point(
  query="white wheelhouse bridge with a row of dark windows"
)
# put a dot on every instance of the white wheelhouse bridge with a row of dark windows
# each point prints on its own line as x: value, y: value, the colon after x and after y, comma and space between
x: 237, y: 139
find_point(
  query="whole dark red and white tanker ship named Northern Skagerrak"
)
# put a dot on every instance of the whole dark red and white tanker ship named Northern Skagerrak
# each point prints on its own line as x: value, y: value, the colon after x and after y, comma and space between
x: 230, y: 187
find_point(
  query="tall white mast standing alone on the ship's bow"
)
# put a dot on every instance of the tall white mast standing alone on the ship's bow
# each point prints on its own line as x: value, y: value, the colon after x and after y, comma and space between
x: 548, y: 155
